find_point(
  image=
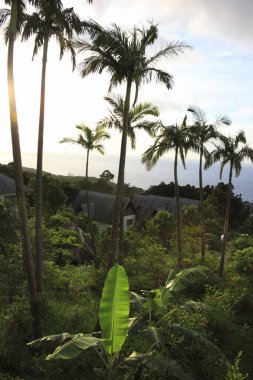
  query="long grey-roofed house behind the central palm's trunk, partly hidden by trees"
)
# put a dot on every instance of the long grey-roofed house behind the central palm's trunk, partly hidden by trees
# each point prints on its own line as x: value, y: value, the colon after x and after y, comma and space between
x: 138, y: 206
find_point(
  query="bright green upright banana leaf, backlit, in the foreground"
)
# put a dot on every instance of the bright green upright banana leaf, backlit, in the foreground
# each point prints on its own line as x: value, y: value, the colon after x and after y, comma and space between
x: 114, y: 309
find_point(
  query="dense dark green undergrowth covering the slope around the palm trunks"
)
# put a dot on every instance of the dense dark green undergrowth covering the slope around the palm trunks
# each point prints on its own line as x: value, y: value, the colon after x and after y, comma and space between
x: 204, y: 317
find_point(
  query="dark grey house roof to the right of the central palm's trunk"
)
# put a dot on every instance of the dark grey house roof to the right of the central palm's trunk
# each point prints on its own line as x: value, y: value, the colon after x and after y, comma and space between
x: 150, y: 204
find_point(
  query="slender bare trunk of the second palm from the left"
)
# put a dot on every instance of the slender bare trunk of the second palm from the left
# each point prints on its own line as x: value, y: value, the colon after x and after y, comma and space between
x: 39, y: 273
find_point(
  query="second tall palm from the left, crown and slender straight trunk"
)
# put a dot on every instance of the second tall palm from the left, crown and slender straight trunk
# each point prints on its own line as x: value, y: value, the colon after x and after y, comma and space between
x: 50, y: 21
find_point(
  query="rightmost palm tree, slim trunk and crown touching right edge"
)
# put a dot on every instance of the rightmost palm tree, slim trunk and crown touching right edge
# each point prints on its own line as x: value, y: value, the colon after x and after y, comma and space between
x: 229, y: 151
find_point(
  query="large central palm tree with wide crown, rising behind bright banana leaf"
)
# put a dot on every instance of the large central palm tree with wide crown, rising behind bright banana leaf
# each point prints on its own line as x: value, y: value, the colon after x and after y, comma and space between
x: 124, y: 56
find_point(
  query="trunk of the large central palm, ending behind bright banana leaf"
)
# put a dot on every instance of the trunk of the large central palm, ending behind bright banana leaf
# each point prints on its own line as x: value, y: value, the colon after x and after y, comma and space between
x: 120, y: 184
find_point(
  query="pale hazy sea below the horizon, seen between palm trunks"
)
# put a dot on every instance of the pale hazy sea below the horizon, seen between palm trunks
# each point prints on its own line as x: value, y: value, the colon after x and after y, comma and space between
x: 136, y: 174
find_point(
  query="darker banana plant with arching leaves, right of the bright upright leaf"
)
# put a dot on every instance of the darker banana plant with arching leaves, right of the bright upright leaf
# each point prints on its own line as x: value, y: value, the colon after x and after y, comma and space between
x: 156, y: 329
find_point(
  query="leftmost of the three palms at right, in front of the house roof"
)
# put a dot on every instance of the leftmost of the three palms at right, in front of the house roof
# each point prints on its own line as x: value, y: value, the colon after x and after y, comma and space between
x: 173, y: 137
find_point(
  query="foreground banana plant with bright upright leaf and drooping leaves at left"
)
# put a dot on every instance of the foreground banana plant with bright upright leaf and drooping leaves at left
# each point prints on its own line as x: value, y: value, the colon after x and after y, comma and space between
x: 114, y: 322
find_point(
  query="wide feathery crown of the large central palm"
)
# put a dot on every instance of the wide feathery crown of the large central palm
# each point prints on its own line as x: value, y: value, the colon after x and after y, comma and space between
x: 123, y: 54
